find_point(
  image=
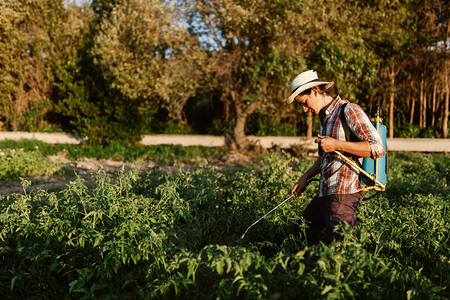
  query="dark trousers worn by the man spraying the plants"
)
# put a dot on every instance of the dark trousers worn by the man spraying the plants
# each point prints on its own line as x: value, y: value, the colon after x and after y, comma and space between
x: 325, y: 213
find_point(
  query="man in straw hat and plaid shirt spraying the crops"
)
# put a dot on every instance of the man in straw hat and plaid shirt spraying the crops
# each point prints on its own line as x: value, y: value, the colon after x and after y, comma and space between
x: 340, y: 193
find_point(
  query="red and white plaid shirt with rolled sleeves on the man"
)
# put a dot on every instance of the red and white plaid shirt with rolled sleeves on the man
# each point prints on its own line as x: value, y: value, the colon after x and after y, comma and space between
x: 337, y: 176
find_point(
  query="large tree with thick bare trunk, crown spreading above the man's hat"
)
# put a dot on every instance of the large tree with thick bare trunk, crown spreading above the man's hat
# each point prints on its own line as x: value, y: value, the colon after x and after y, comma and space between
x: 257, y: 47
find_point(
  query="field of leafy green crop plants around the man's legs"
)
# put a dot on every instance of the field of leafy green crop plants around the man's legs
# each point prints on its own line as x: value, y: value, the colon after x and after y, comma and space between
x: 158, y: 235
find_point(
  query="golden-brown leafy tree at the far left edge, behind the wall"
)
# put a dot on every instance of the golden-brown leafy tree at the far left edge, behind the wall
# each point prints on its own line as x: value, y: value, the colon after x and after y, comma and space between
x: 37, y: 39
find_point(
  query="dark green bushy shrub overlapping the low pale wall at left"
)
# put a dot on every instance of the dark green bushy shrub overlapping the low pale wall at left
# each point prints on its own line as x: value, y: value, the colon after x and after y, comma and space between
x: 89, y: 103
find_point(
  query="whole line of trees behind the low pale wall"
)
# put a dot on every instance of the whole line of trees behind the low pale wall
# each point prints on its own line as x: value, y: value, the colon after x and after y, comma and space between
x: 117, y: 69
